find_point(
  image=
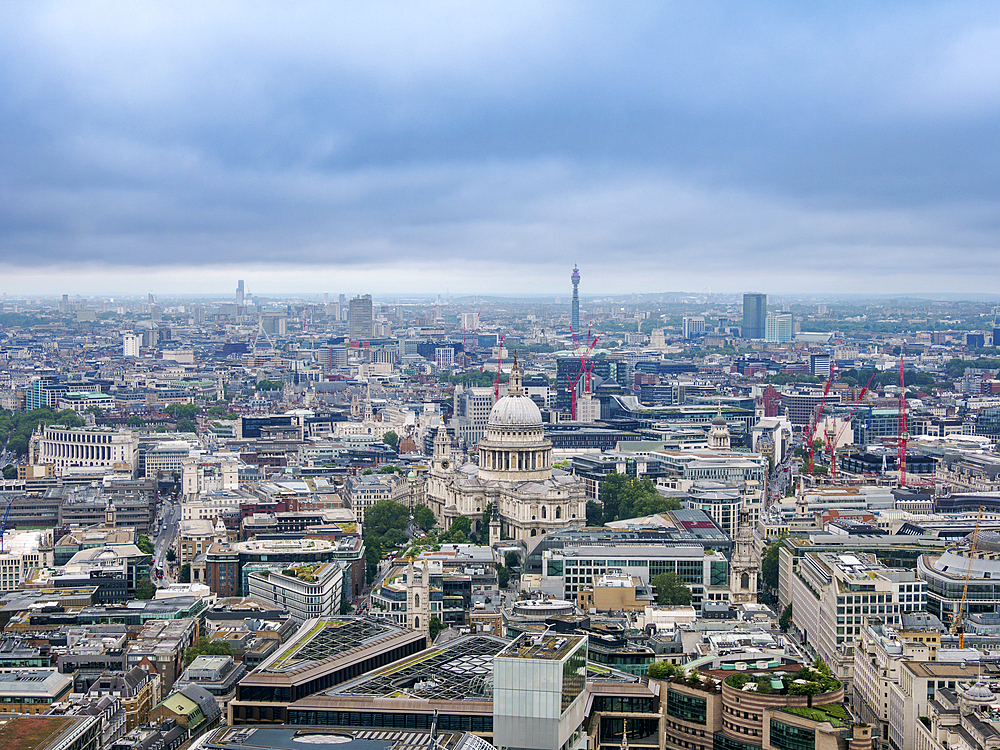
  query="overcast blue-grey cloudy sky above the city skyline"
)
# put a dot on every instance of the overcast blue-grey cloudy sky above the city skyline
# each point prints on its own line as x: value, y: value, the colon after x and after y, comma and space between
x: 433, y: 147
